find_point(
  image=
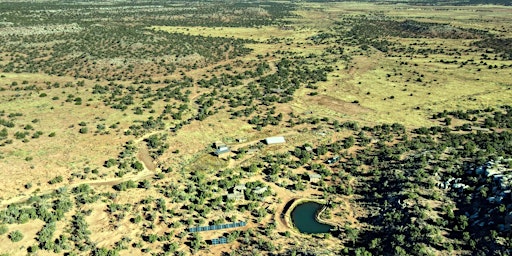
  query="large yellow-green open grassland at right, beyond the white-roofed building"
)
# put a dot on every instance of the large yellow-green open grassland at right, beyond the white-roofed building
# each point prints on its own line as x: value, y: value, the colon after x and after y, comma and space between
x: 401, y: 98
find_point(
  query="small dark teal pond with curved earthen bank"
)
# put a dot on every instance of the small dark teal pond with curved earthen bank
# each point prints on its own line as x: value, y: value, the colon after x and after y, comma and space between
x: 304, y: 218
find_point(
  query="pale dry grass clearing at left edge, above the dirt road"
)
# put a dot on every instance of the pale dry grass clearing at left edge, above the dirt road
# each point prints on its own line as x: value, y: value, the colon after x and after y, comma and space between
x: 67, y: 152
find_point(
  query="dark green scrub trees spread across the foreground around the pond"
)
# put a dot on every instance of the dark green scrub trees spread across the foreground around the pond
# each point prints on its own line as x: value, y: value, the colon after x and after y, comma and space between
x: 393, y: 173
